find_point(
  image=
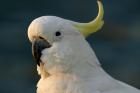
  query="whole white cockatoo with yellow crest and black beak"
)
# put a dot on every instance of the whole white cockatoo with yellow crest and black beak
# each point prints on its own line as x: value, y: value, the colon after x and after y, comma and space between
x: 65, y: 60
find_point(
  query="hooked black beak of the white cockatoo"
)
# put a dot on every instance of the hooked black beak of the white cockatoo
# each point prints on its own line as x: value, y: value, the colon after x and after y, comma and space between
x: 37, y: 46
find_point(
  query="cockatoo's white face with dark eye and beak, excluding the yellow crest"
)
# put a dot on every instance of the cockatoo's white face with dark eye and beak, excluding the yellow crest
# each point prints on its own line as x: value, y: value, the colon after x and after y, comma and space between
x: 55, y: 43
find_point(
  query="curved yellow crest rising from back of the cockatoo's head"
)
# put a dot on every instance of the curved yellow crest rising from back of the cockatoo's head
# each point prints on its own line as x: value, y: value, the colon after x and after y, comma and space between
x: 88, y: 28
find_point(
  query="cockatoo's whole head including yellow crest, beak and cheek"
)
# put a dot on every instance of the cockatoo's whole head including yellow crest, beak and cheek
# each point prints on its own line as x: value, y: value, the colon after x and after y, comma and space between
x: 59, y: 44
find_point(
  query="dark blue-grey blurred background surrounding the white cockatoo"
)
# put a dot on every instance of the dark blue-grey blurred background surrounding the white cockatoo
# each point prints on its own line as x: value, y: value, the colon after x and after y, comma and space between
x: 117, y: 45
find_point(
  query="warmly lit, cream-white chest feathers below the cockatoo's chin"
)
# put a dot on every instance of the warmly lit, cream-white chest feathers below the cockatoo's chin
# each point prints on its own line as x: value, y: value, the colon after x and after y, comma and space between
x: 61, y: 84
